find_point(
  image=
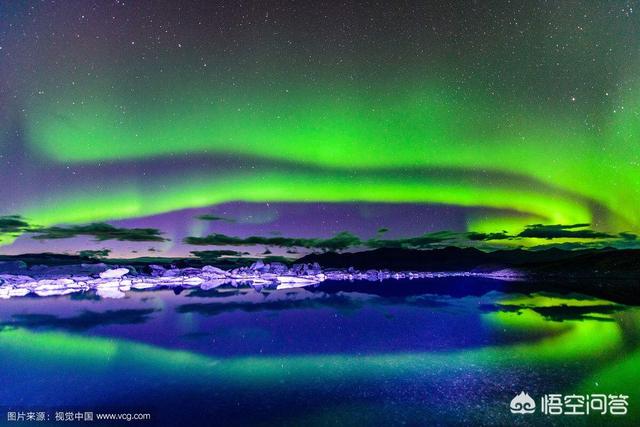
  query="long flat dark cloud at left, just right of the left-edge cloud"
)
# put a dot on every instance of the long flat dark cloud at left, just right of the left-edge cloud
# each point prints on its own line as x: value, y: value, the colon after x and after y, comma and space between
x: 101, y: 232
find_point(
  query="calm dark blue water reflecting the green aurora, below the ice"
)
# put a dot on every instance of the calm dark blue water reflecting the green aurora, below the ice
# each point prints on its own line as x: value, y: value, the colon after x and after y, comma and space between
x: 445, y: 351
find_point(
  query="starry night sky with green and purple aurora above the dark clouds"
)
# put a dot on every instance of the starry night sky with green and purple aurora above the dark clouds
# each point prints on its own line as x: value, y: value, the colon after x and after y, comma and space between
x: 311, y: 118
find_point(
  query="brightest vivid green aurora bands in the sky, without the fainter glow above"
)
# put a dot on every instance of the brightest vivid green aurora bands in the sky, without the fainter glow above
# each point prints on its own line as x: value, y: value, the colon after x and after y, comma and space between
x: 418, y: 131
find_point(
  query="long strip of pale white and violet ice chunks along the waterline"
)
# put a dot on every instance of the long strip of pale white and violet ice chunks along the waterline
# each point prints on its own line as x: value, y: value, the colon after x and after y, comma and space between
x: 112, y: 283
